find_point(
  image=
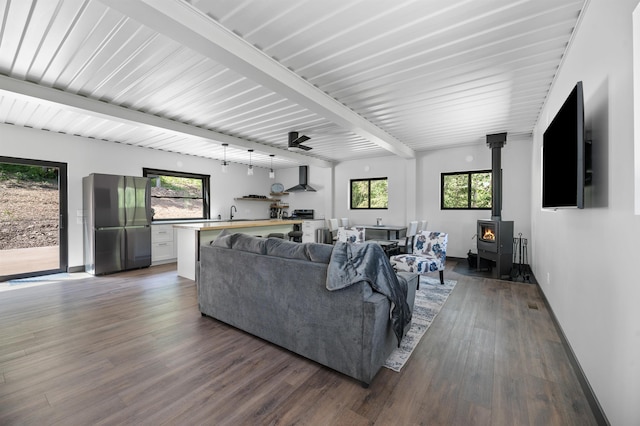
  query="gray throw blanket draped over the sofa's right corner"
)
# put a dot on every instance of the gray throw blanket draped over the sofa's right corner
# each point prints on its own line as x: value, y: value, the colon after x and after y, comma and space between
x: 352, y: 263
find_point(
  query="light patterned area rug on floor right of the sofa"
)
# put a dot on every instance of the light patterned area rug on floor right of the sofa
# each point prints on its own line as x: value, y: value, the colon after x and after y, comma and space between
x: 429, y: 300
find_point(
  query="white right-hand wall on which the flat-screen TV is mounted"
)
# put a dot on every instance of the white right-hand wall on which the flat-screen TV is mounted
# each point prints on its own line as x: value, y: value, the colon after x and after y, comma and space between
x: 587, y: 260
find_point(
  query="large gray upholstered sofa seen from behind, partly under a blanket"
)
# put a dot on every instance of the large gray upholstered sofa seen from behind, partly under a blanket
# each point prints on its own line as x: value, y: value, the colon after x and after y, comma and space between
x: 278, y: 290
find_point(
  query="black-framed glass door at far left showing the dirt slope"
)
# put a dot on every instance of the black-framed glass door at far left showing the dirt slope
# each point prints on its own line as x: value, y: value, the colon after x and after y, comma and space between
x: 33, y: 218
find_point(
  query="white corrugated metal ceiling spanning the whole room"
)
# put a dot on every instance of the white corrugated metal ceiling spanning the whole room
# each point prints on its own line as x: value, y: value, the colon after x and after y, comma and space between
x: 430, y: 74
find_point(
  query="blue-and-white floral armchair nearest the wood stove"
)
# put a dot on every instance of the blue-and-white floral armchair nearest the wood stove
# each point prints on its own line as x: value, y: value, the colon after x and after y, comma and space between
x: 429, y: 254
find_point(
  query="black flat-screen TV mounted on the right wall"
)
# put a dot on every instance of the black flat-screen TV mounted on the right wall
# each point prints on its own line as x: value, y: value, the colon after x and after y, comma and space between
x: 564, y: 155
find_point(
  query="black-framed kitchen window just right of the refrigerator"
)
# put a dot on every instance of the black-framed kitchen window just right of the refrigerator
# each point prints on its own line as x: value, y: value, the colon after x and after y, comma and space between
x: 178, y: 195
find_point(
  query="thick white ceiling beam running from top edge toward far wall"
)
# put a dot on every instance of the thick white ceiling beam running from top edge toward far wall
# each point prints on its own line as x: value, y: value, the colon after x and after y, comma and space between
x: 185, y: 24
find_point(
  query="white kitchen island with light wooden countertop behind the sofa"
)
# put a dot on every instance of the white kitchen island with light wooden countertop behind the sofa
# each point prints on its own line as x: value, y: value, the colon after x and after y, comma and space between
x: 191, y: 235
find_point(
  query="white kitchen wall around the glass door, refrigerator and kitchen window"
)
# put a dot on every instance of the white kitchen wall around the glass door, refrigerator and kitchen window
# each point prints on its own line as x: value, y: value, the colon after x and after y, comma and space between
x: 85, y: 156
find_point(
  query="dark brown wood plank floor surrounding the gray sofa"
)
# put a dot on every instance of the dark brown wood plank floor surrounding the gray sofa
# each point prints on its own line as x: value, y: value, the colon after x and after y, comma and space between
x: 132, y: 348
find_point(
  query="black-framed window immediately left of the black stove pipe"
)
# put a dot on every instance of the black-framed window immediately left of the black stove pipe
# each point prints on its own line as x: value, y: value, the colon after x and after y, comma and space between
x: 466, y: 190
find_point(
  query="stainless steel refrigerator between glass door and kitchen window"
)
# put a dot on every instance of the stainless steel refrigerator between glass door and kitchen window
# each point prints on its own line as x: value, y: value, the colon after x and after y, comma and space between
x: 117, y: 225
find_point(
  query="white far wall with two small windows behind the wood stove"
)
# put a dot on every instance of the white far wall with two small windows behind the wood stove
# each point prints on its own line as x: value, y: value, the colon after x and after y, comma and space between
x: 414, y: 190
